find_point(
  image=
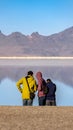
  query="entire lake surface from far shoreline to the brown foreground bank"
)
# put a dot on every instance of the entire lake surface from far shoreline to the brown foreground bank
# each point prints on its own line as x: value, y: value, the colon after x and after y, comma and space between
x: 60, y: 71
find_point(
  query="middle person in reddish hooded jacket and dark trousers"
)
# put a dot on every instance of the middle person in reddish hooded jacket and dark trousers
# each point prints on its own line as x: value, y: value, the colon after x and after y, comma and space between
x: 41, y: 95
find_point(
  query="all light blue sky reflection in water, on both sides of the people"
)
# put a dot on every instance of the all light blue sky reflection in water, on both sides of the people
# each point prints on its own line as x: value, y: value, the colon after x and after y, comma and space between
x: 9, y: 95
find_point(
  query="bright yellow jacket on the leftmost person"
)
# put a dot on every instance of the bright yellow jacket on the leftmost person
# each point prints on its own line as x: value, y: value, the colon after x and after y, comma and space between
x: 23, y: 87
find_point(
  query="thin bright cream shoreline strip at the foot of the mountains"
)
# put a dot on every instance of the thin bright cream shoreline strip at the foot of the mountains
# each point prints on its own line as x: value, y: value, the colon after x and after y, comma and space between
x: 37, y: 57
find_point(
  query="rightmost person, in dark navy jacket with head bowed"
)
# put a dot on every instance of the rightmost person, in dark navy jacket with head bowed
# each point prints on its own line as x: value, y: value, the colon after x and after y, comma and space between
x: 50, y: 97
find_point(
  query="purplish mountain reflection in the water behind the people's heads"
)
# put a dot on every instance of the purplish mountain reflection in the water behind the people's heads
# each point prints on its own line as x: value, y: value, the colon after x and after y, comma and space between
x: 63, y: 74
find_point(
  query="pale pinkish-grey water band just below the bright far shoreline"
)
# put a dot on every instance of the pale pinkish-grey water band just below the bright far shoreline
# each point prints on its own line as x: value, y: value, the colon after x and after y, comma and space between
x: 36, y: 62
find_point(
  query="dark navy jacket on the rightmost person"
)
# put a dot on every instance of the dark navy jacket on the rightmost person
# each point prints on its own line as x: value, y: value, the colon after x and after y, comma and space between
x: 52, y: 89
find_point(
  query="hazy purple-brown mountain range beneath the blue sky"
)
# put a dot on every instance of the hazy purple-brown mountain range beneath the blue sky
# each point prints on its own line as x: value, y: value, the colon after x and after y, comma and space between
x: 17, y: 44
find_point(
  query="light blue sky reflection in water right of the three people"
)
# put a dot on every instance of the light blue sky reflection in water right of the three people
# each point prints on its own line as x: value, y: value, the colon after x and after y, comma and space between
x: 64, y: 94
